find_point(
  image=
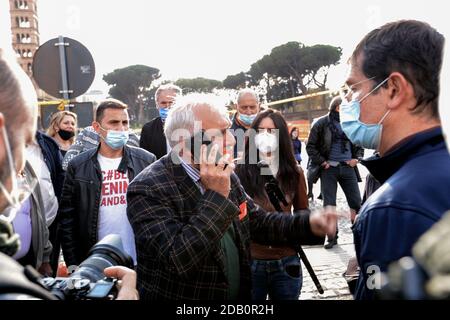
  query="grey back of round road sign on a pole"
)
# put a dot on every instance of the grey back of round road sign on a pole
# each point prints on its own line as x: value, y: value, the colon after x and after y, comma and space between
x: 63, y: 68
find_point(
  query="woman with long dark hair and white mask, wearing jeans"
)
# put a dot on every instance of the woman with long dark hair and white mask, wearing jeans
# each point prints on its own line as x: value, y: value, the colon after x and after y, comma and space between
x: 276, y: 271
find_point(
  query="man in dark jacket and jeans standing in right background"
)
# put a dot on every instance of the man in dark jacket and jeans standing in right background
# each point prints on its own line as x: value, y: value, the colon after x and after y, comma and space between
x: 329, y: 148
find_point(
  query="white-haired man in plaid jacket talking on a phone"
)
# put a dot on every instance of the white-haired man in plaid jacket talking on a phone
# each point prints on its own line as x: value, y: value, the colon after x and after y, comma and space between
x: 193, y: 222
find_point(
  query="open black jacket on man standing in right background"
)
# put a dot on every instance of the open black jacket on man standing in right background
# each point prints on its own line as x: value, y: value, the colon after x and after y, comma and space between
x: 319, y: 144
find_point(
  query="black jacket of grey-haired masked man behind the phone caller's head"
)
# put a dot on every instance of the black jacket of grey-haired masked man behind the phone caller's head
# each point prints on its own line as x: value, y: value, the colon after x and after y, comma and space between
x: 153, y: 138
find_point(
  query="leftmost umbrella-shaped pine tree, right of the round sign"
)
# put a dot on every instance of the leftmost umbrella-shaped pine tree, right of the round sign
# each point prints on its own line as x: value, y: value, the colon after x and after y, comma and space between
x: 131, y: 85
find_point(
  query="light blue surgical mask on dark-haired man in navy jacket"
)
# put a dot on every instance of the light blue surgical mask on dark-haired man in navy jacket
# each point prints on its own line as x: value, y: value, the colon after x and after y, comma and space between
x: 364, y: 135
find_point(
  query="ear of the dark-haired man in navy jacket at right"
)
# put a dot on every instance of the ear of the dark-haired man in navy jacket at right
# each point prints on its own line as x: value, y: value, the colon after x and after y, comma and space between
x: 399, y: 90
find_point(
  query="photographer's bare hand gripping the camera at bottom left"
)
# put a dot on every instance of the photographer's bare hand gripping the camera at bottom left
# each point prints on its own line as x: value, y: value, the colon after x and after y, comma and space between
x: 127, y: 282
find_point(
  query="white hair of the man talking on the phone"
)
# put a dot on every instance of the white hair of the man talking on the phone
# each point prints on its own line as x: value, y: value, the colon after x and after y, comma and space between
x: 181, y: 120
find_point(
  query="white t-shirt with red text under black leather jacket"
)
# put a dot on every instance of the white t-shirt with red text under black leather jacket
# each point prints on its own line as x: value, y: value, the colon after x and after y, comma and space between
x: 113, y: 205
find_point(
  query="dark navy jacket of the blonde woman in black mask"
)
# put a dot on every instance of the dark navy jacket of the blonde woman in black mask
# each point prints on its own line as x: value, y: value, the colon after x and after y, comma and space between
x: 53, y: 160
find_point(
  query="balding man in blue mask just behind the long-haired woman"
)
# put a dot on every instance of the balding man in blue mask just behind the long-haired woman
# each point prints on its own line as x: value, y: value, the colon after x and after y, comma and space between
x: 248, y: 107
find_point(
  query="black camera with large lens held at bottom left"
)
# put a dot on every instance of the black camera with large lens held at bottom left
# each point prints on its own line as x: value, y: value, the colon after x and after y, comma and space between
x: 88, y: 282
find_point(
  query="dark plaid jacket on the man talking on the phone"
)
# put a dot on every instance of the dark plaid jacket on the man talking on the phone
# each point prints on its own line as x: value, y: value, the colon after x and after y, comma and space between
x: 178, y: 230
